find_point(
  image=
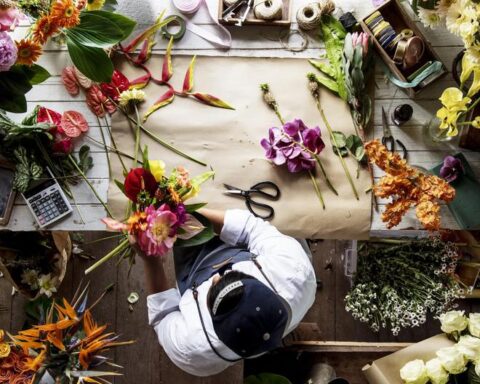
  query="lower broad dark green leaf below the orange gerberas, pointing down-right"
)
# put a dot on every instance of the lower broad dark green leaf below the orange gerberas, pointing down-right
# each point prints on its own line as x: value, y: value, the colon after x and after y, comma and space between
x: 92, y: 62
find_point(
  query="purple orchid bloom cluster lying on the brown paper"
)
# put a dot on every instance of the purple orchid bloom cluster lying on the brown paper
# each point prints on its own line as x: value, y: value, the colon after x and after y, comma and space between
x: 293, y: 145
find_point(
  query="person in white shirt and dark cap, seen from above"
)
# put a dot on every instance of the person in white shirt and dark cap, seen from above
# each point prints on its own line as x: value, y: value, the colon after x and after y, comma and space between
x: 236, y: 297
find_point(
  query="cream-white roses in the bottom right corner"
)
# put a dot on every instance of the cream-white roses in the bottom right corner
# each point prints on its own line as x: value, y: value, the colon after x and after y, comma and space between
x: 457, y: 364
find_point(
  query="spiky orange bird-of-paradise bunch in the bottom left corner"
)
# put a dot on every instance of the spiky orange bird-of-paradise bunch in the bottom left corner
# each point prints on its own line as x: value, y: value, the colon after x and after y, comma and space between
x: 67, y: 343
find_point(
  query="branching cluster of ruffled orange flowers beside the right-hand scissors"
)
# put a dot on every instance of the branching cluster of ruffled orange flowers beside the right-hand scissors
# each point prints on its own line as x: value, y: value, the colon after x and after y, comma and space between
x: 408, y: 187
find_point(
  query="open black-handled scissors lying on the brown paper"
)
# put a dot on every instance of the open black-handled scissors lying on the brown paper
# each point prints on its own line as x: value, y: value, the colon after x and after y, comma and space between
x: 265, y: 189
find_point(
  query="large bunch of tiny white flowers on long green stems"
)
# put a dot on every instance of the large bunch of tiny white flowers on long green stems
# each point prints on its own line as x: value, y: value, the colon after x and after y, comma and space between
x: 398, y: 282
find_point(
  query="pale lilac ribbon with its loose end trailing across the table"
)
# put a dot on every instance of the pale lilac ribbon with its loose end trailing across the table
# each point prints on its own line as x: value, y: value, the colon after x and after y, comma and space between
x: 189, y: 7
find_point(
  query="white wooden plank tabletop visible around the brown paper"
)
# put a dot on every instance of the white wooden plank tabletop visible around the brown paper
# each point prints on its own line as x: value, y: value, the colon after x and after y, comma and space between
x: 247, y: 41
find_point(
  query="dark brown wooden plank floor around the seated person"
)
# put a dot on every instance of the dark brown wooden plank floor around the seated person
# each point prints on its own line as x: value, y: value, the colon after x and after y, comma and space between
x: 145, y: 361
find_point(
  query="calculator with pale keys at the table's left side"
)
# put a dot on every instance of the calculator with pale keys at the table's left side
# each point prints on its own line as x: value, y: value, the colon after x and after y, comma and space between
x: 46, y: 200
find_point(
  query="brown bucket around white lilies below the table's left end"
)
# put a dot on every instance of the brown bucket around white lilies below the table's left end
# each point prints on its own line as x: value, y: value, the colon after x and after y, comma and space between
x: 59, y: 259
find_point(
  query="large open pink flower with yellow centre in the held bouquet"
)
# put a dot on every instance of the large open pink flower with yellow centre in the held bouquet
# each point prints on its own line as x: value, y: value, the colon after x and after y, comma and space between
x: 160, y: 235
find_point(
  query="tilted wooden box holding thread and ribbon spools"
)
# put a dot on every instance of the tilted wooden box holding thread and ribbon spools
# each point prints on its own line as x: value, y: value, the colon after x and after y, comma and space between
x: 393, y: 12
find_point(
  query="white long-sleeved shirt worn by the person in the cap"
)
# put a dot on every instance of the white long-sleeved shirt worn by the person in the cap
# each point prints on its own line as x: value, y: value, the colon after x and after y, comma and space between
x: 175, y: 318
